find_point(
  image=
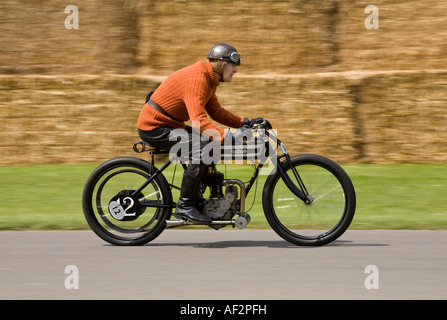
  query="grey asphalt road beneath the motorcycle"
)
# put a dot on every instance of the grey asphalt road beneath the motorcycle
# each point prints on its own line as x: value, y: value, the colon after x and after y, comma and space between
x: 224, y: 264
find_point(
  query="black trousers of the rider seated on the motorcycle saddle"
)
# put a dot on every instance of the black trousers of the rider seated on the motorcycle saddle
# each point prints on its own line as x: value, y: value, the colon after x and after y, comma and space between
x: 159, y: 138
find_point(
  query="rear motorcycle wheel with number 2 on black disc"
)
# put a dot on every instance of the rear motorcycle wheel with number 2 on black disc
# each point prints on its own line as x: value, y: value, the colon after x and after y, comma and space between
x: 116, y: 212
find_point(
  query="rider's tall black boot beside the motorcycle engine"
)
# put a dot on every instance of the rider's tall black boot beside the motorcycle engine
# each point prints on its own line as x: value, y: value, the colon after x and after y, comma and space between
x: 186, y: 208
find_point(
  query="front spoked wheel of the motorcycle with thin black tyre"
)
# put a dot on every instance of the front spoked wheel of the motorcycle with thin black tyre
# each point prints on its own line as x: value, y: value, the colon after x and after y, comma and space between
x: 331, y: 207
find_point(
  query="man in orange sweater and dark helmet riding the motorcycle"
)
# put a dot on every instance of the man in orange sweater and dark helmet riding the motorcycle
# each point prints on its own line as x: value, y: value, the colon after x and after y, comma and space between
x: 189, y: 94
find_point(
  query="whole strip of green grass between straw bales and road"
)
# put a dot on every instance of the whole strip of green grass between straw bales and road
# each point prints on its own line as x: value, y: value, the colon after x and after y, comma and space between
x: 397, y: 196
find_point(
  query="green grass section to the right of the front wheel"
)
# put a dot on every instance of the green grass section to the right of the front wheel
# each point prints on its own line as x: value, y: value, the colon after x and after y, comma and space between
x: 400, y: 196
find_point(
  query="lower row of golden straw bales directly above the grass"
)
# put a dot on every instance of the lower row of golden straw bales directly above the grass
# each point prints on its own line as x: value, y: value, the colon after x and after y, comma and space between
x: 350, y: 117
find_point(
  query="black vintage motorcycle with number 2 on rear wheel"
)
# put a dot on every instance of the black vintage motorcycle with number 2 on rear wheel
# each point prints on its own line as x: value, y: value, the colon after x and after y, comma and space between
x: 307, y: 199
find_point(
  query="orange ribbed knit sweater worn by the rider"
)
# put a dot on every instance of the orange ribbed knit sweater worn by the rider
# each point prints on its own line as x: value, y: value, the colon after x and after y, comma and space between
x: 188, y: 94
